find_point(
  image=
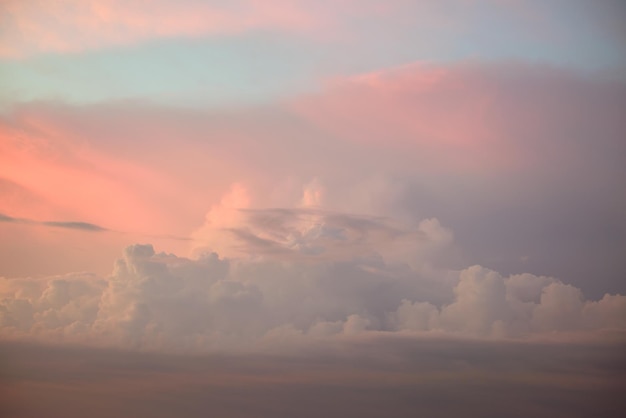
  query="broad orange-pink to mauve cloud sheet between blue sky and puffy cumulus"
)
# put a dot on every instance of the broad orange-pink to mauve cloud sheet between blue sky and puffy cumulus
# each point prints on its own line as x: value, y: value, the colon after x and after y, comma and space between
x: 474, y: 146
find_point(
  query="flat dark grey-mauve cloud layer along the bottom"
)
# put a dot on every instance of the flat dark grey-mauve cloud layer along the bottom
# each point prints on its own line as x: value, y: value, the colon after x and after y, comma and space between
x: 357, y: 377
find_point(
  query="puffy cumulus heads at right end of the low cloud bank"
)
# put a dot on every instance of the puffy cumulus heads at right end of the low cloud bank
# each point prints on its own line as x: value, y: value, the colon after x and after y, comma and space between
x: 486, y: 303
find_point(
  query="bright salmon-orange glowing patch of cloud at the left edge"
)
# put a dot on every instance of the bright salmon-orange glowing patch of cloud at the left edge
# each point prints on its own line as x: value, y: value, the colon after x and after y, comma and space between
x: 41, y: 158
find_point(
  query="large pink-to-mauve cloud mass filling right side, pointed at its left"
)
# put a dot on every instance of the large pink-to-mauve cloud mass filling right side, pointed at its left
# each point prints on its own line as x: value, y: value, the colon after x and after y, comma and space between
x: 493, y: 134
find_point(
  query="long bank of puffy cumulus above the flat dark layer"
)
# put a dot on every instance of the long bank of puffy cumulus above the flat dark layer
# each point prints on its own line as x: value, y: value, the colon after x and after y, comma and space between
x: 307, y: 276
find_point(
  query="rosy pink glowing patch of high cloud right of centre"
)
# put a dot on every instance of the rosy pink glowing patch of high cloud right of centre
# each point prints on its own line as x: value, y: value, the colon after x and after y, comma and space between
x: 444, y: 112
